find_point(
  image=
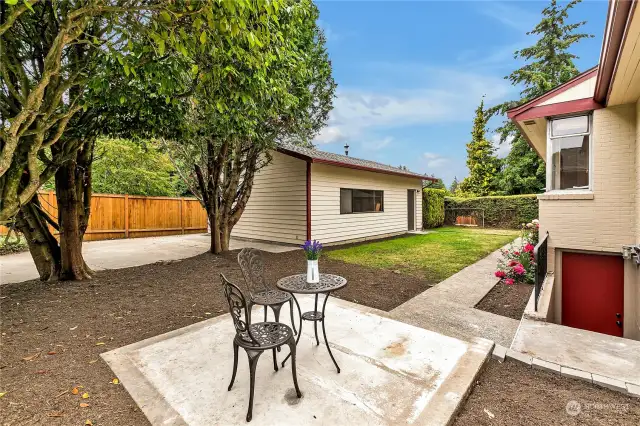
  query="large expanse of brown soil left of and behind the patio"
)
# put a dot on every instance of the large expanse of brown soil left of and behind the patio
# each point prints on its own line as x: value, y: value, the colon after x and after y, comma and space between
x: 53, y: 333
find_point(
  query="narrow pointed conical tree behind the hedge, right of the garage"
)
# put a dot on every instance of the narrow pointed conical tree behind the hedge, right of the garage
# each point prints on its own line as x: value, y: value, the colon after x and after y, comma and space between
x: 481, y: 160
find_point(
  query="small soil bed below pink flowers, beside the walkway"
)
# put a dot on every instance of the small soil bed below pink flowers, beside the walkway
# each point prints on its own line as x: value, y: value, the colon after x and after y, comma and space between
x: 506, y: 300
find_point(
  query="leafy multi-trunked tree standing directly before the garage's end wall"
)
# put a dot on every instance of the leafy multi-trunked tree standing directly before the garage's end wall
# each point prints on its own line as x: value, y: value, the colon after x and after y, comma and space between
x: 275, y: 85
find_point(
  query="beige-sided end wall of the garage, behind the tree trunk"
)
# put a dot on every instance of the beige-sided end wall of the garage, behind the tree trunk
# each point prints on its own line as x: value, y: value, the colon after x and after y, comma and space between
x: 277, y: 208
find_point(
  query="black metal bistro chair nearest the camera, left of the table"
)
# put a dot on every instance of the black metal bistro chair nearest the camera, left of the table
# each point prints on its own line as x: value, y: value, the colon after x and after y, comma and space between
x: 256, y: 338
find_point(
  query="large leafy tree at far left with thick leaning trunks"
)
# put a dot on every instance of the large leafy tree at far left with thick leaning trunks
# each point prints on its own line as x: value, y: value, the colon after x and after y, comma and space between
x: 71, y: 70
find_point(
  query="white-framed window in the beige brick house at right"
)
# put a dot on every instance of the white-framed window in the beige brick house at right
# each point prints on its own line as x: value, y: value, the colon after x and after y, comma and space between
x: 569, y: 149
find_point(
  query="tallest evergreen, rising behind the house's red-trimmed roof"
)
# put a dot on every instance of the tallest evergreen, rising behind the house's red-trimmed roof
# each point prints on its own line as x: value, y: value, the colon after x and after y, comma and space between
x: 549, y: 64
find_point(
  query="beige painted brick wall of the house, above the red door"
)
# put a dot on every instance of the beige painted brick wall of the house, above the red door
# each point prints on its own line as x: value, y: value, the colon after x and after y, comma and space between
x: 609, y: 220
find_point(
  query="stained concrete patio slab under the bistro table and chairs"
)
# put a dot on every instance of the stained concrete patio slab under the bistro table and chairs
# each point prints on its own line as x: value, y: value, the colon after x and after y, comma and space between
x: 392, y: 373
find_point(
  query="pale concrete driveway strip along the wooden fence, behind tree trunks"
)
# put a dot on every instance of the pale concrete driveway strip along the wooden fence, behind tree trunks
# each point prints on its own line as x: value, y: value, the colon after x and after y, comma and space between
x: 125, y: 253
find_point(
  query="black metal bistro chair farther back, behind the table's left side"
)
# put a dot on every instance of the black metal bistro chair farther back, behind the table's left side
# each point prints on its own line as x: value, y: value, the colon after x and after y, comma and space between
x: 252, y: 266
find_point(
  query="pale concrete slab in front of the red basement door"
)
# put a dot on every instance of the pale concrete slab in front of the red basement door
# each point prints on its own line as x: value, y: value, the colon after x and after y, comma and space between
x: 583, y: 350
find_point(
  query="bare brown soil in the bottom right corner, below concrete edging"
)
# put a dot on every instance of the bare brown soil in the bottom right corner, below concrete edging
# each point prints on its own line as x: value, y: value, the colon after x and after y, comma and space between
x: 515, y: 395
